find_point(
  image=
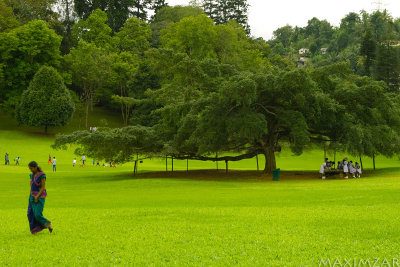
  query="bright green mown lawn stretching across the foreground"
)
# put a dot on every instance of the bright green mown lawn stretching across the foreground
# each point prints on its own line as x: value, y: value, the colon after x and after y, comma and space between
x: 105, y: 216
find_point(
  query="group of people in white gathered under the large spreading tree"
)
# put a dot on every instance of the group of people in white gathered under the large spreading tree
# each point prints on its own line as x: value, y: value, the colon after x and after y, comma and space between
x: 345, y: 166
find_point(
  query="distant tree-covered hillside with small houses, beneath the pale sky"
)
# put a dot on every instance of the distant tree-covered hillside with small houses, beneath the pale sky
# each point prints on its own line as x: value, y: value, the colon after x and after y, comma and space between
x: 370, y: 43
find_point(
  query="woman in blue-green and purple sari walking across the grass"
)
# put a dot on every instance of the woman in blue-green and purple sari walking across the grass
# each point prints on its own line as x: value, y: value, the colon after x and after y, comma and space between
x: 37, y: 222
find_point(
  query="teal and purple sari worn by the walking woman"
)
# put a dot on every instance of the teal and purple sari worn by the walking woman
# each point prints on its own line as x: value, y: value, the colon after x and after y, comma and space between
x: 37, y: 222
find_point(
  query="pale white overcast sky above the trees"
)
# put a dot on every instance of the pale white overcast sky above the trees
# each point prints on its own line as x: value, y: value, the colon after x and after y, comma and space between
x: 265, y: 16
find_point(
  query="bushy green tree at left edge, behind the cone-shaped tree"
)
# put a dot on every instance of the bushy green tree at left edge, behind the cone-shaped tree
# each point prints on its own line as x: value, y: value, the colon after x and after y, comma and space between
x: 23, y: 51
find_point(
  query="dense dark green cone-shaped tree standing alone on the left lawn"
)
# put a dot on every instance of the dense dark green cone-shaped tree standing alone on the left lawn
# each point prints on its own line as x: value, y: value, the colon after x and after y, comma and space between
x: 47, y: 102
